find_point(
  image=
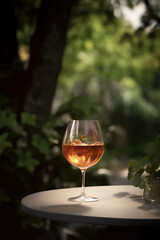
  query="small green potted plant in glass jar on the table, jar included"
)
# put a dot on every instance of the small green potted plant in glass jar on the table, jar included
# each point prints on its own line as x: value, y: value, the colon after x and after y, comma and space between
x: 145, y: 172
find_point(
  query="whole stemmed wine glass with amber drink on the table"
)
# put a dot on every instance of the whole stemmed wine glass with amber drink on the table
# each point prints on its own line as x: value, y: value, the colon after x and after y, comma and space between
x: 83, y: 147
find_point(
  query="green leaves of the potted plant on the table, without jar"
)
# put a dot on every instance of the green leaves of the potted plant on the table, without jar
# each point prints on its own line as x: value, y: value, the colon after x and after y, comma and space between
x: 148, y: 165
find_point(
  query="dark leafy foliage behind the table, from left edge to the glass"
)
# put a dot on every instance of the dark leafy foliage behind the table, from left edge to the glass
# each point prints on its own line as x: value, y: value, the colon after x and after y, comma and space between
x: 31, y: 159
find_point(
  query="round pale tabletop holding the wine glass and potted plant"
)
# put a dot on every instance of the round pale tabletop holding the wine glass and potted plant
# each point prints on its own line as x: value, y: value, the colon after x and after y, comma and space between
x: 117, y: 205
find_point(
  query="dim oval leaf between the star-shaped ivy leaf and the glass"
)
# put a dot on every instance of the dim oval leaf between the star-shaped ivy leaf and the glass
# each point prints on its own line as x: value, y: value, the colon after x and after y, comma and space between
x: 40, y: 143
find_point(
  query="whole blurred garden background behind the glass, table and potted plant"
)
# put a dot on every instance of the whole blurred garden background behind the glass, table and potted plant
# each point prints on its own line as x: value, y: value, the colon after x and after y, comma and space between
x: 61, y: 60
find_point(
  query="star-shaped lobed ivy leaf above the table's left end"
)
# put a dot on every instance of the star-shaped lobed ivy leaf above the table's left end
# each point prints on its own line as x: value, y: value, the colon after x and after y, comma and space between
x: 27, y: 161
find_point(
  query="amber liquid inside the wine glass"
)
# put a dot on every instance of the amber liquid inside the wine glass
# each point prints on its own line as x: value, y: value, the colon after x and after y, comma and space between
x: 83, y: 155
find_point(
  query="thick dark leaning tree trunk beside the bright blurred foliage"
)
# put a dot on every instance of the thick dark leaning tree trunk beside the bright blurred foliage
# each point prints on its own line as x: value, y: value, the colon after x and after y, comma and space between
x: 47, y: 47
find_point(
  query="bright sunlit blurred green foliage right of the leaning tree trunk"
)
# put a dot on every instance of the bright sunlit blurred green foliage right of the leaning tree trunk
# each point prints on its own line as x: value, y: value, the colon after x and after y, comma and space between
x: 108, y: 50
